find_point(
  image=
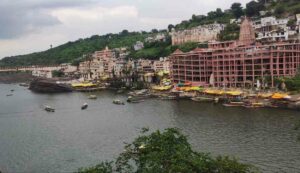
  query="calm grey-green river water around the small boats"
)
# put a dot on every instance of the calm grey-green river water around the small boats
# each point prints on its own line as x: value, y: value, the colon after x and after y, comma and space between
x: 32, y: 140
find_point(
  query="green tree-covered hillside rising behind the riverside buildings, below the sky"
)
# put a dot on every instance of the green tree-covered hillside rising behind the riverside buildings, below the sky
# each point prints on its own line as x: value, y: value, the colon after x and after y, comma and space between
x: 72, y: 51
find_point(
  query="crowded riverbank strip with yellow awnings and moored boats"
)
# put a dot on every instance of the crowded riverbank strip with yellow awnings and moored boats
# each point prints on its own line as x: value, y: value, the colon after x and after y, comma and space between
x: 229, y: 97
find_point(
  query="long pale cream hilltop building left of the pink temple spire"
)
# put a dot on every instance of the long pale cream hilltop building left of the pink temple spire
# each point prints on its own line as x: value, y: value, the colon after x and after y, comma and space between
x: 202, y: 33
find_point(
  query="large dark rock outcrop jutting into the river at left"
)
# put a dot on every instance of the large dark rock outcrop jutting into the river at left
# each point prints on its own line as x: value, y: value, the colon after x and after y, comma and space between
x: 48, y: 86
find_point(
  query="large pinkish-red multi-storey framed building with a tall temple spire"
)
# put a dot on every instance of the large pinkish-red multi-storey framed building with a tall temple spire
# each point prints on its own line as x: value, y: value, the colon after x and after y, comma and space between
x: 237, y: 63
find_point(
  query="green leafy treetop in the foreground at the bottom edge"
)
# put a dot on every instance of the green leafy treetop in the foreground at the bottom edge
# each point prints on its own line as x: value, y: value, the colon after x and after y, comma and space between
x: 167, y: 151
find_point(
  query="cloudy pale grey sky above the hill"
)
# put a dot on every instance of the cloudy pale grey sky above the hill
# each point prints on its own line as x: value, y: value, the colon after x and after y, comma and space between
x: 28, y: 26
